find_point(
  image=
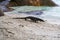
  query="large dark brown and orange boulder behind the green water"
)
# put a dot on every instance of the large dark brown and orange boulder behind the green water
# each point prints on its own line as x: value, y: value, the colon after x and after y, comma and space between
x: 33, y: 2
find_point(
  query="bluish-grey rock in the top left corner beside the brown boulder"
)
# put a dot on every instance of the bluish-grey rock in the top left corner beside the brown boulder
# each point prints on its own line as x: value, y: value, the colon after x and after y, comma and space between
x: 3, y: 5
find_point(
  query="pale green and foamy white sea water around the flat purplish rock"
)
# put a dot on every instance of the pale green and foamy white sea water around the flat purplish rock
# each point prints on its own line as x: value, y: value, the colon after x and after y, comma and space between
x: 51, y: 14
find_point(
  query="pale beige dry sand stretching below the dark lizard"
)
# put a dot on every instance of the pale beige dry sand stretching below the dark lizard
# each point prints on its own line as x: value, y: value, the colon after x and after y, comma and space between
x: 19, y: 29
